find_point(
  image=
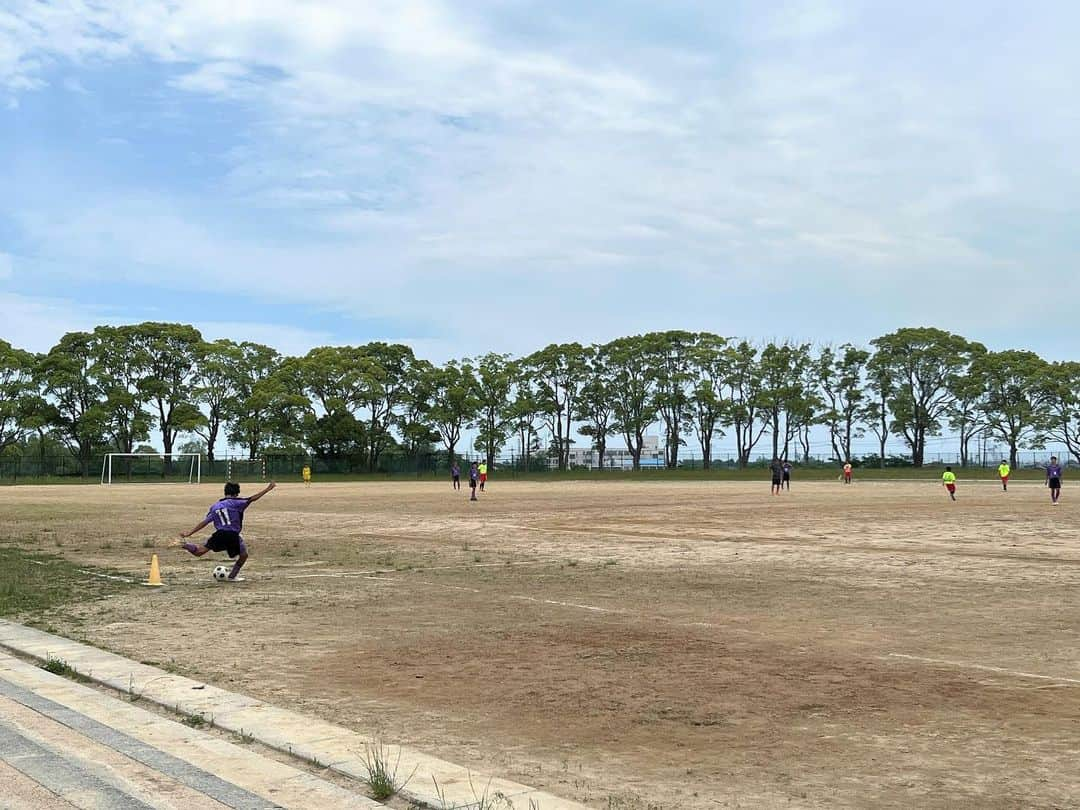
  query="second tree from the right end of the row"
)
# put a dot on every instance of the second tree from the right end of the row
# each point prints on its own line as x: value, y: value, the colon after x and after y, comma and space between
x: 1014, y: 382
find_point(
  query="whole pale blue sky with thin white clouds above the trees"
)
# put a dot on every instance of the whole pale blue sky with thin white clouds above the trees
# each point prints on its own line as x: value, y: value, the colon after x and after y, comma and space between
x: 502, y: 174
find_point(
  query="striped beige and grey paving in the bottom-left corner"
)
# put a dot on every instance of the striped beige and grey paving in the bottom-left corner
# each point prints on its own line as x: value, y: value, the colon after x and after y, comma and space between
x: 55, y: 755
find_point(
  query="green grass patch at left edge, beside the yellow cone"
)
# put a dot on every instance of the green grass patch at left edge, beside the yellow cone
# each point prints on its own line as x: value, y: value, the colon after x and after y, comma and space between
x: 34, y: 584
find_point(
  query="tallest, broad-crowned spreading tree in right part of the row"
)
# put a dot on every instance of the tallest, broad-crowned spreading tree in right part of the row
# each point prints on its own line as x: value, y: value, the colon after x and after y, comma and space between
x: 921, y: 364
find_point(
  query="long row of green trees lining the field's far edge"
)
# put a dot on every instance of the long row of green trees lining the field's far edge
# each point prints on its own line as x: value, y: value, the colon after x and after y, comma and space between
x: 107, y: 389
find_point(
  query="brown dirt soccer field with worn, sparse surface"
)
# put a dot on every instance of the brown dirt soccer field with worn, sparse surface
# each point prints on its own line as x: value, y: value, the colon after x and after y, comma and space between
x: 690, y: 645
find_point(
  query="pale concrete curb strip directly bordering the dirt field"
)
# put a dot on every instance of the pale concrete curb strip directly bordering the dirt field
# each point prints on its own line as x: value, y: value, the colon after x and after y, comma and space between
x: 326, y: 745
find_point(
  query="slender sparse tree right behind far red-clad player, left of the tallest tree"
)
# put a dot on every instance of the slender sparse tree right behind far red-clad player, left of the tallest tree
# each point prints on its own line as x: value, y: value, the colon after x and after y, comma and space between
x: 845, y: 398
